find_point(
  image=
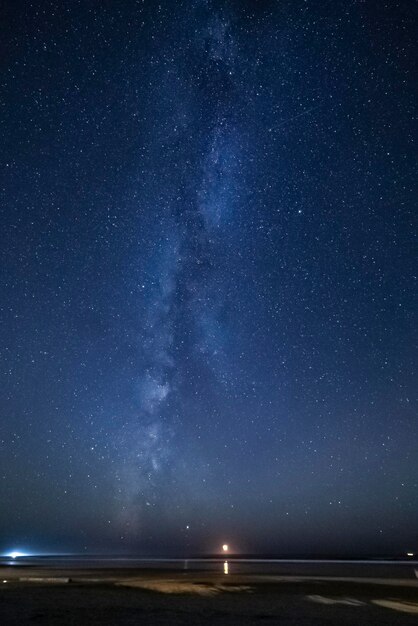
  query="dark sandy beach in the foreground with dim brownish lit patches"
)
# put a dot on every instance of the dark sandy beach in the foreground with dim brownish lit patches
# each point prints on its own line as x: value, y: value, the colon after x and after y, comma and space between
x: 100, y: 597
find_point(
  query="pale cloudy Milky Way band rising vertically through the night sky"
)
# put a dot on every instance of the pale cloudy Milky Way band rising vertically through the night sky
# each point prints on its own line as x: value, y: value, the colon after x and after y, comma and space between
x: 184, y: 317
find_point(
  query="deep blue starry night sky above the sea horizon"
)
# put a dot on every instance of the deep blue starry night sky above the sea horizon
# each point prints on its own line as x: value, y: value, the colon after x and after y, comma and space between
x: 208, y: 276
